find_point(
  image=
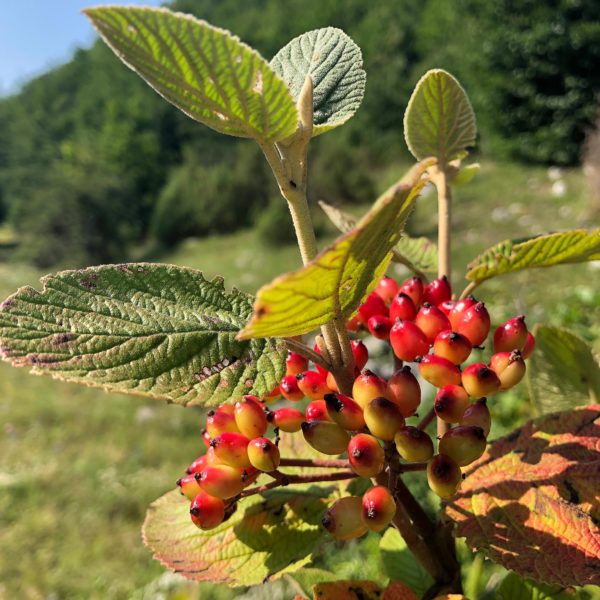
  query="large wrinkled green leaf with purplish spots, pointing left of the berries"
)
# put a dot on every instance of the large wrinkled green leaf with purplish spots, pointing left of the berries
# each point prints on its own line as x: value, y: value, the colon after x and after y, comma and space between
x: 154, y: 330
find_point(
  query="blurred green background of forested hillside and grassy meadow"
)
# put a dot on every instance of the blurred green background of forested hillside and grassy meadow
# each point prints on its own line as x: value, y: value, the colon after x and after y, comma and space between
x: 95, y: 167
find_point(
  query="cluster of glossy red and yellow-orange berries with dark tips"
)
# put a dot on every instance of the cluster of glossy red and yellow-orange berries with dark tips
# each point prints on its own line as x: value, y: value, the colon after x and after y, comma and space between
x: 423, y: 325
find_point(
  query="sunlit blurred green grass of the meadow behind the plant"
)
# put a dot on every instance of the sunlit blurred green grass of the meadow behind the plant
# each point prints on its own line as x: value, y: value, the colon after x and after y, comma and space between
x: 78, y: 467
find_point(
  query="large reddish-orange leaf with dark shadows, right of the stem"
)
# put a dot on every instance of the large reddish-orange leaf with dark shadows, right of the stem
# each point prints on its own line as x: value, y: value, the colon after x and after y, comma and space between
x: 531, y: 502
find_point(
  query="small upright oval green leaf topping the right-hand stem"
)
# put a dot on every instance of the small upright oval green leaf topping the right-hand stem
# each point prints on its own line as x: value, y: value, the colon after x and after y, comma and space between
x: 439, y: 120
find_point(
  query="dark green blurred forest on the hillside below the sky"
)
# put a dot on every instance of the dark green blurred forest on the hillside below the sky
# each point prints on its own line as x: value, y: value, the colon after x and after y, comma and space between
x: 95, y: 167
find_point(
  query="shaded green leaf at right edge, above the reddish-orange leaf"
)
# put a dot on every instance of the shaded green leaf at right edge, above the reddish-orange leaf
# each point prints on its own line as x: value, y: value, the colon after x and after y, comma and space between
x: 563, y: 372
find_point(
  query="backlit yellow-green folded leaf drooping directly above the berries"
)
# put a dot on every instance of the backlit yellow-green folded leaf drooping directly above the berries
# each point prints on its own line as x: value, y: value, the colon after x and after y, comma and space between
x: 337, y: 280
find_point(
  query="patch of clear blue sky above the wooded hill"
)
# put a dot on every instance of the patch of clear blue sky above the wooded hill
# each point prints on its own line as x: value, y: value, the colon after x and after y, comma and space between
x: 36, y: 35
